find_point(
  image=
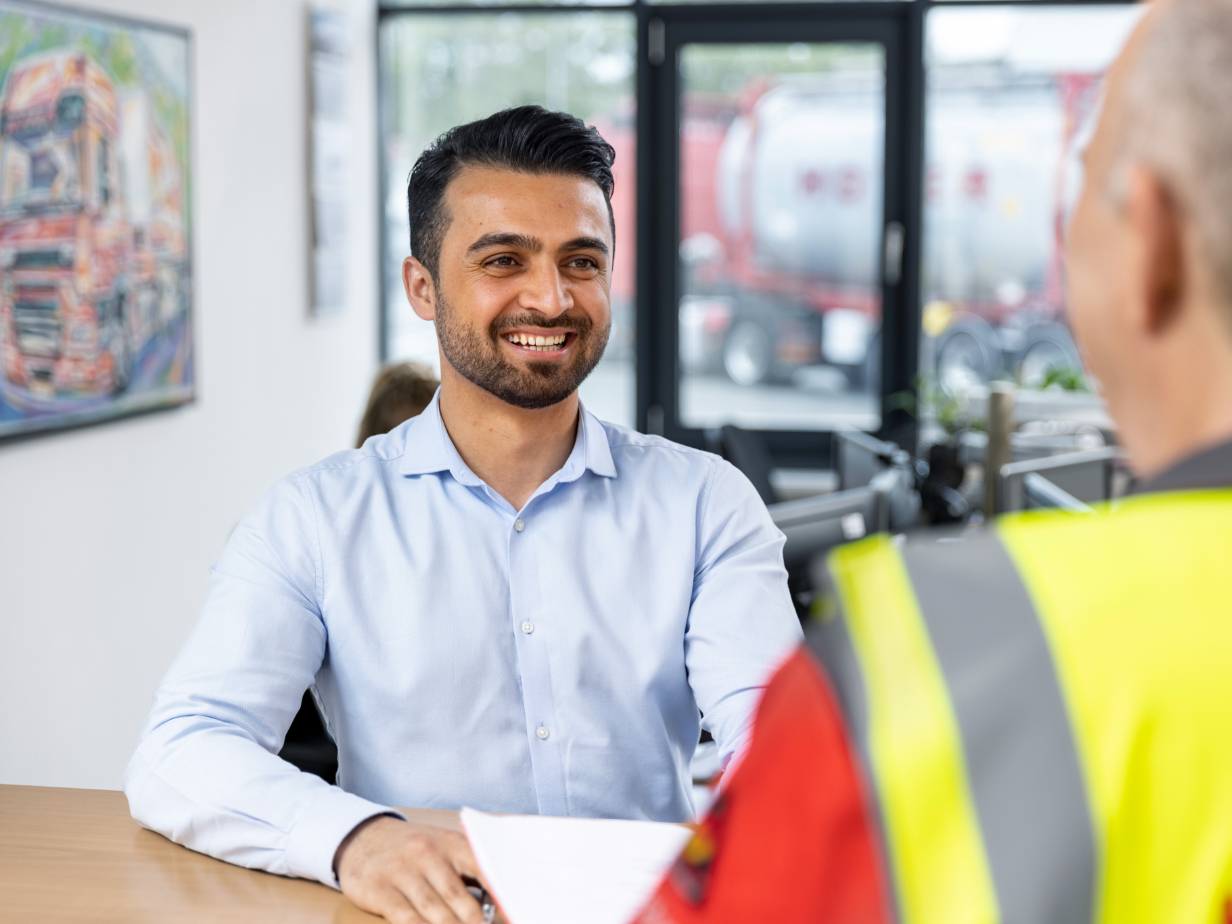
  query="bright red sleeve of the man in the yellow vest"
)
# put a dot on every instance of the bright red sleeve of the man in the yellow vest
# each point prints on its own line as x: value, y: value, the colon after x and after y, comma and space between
x: 777, y: 848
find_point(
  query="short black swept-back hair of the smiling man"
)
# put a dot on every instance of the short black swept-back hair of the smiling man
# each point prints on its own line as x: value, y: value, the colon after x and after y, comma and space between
x: 529, y: 140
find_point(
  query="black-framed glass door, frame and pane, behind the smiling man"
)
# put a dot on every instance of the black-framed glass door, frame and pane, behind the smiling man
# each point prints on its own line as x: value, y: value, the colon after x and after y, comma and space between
x: 779, y: 235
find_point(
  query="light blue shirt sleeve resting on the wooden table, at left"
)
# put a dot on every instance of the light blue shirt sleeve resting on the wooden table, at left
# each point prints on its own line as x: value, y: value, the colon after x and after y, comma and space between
x: 206, y: 772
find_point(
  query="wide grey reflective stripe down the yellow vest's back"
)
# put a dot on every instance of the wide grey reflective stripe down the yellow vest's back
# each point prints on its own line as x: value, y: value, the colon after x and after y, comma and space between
x: 1021, y: 753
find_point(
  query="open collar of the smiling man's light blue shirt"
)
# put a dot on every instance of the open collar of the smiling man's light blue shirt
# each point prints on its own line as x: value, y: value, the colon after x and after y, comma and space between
x: 429, y: 449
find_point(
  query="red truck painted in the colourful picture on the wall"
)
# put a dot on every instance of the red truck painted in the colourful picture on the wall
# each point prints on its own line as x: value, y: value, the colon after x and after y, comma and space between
x: 93, y: 251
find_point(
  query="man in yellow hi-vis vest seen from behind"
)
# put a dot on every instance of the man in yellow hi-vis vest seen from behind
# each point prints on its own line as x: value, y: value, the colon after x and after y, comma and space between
x: 1033, y: 723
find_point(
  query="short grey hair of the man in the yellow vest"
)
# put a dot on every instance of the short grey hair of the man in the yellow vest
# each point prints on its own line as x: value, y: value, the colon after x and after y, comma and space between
x: 1178, y: 123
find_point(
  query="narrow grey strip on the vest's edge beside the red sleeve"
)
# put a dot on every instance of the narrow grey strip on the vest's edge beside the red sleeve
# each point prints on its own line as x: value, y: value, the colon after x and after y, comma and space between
x: 831, y: 645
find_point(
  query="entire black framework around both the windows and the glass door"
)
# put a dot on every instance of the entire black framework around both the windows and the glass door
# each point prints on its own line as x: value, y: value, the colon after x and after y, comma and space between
x: 900, y: 25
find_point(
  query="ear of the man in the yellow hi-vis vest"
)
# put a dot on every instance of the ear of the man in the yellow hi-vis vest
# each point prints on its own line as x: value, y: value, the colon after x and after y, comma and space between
x: 1155, y: 219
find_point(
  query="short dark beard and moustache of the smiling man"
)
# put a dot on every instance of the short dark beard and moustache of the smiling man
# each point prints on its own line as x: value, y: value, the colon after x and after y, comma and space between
x: 479, y: 357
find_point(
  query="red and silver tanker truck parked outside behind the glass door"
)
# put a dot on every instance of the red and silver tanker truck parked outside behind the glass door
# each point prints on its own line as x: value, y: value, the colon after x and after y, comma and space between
x: 782, y: 214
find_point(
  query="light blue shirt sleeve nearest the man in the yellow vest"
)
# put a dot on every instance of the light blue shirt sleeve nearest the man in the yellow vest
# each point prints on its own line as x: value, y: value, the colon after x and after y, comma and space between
x: 742, y: 623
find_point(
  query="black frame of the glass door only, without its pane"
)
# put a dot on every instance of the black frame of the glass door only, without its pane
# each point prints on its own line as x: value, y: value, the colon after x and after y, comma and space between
x: 888, y: 24
